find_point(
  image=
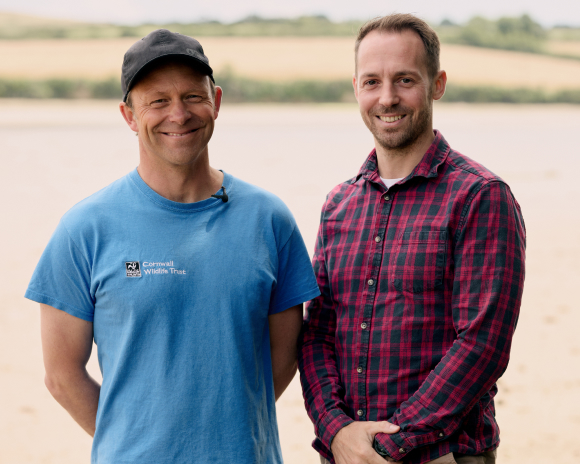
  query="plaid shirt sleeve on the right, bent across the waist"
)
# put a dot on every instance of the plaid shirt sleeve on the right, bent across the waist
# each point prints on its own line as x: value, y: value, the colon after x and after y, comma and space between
x: 489, y: 252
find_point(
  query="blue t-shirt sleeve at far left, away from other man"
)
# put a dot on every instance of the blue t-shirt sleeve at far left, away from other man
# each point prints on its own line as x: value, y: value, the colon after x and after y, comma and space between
x: 62, y: 278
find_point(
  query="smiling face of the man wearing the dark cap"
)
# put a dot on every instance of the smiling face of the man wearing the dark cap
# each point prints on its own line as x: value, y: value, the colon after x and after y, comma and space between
x: 173, y: 111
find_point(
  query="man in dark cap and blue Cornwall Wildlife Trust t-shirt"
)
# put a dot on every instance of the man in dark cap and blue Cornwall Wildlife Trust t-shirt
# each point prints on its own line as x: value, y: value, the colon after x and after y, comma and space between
x: 190, y: 282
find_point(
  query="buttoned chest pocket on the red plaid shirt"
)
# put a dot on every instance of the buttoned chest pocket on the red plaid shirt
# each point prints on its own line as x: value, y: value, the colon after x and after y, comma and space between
x: 419, y: 260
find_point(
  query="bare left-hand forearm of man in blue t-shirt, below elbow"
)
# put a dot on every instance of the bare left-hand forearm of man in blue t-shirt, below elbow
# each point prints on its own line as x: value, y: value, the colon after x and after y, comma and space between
x: 78, y: 393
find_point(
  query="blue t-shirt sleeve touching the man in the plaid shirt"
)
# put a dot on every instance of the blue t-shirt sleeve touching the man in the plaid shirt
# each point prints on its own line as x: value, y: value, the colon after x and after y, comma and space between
x: 295, y: 281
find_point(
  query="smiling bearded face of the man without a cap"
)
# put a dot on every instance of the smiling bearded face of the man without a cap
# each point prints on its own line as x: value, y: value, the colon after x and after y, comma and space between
x: 394, y: 89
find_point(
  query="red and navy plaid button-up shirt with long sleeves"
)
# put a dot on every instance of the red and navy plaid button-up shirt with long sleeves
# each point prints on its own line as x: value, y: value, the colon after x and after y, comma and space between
x: 421, y: 289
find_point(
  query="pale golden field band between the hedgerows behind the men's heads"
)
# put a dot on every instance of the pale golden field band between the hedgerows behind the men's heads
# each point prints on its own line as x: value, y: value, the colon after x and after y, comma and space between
x: 285, y: 59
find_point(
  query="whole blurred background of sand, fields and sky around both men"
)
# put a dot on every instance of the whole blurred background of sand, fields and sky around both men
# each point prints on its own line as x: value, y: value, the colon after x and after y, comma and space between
x: 289, y: 123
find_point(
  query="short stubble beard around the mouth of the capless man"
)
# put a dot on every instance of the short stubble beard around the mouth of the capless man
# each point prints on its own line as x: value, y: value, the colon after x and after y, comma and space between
x: 401, y: 140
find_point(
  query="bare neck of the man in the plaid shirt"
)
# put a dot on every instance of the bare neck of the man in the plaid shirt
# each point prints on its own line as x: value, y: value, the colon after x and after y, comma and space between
x: 395, y: 163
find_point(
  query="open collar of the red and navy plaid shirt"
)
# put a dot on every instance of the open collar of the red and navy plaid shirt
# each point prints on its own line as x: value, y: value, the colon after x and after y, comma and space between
x: 427, y: 167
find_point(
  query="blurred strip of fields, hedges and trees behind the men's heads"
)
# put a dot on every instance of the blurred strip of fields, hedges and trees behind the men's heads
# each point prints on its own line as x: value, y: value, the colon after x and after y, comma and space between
x: 306, y: 59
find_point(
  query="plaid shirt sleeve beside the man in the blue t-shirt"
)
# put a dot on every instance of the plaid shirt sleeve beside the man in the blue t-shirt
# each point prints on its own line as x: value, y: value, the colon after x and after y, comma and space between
x: 323, y: 391
